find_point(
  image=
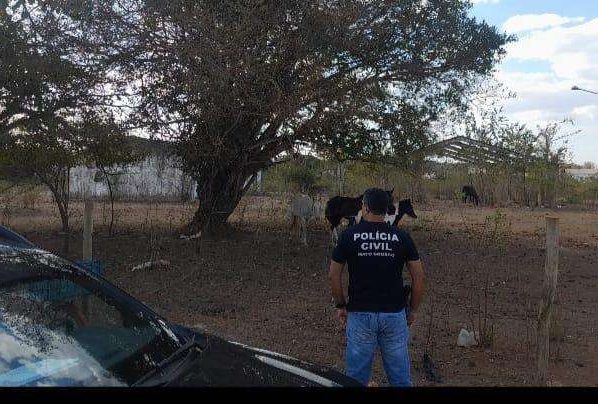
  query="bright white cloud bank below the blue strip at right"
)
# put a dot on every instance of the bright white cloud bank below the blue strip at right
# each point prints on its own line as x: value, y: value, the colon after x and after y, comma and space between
x: 553, y: 54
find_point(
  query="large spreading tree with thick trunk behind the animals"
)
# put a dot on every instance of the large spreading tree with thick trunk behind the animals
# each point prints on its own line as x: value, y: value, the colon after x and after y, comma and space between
x: 237, y: 83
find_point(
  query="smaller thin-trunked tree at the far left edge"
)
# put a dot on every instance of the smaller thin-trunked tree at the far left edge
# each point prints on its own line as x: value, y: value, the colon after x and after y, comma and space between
x: 40, y: 90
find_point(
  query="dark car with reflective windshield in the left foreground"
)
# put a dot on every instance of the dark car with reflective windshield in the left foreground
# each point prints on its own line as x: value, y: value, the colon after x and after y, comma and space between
x: 61, y: 325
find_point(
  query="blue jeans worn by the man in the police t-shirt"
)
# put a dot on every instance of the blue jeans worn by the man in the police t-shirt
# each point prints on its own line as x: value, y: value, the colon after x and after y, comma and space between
x: 389, y: 332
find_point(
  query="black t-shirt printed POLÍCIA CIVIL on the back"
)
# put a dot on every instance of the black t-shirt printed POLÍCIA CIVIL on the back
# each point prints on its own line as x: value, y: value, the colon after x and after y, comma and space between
x: 376, y: 254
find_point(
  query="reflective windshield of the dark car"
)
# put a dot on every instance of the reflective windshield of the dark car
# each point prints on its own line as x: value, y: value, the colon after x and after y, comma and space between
x: 59, y: 327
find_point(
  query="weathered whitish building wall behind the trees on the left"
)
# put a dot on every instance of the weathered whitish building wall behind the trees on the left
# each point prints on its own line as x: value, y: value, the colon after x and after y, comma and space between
x: 155, y: 177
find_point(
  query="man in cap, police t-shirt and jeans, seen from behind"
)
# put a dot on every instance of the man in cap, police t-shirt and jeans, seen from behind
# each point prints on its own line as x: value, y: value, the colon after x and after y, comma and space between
x: 374, y: 314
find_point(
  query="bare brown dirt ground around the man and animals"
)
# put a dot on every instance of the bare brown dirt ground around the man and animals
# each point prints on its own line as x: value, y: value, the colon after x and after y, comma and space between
x: 261, y: 287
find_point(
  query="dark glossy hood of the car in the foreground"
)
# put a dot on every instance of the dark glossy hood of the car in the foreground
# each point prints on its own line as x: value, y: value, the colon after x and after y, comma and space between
x: 226, y: 363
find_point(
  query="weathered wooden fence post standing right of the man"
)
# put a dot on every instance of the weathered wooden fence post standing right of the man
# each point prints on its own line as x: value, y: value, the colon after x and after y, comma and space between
x: 551, y: 270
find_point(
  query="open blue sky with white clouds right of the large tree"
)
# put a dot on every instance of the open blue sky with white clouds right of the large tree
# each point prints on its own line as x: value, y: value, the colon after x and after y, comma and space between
x: 557, y: 48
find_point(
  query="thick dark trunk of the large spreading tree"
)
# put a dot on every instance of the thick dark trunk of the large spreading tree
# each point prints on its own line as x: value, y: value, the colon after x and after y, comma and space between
x: 218, y: 196
